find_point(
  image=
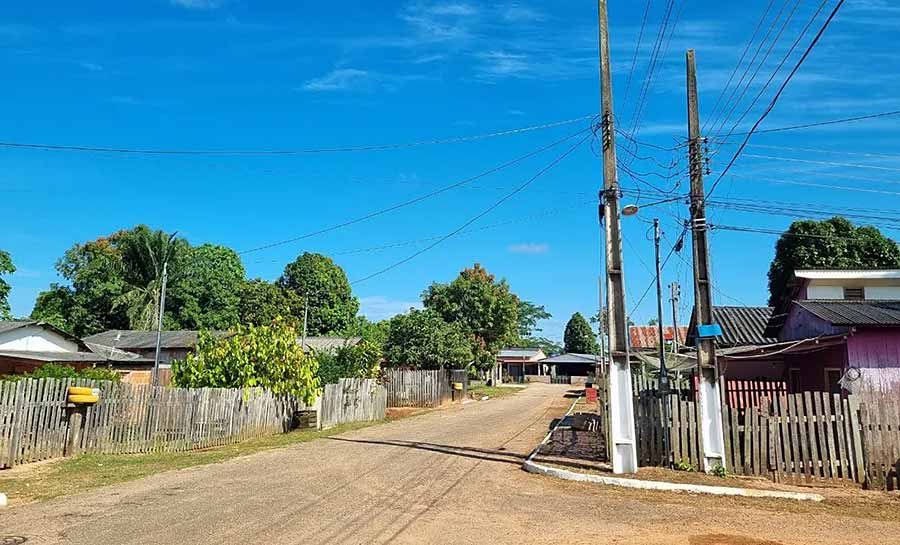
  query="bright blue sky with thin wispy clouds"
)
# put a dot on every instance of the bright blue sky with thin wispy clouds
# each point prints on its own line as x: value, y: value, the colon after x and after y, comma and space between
x: 258, y: 75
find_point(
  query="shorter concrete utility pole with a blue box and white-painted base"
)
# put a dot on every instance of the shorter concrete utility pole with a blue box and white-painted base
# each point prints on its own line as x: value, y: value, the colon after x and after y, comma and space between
x: 710, y: 398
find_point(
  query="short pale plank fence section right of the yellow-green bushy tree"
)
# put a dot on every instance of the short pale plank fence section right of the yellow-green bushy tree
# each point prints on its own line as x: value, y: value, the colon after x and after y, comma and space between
x: 352, y: 400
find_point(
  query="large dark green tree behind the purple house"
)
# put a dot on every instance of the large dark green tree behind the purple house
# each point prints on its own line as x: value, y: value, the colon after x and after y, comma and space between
x: 833, y: 243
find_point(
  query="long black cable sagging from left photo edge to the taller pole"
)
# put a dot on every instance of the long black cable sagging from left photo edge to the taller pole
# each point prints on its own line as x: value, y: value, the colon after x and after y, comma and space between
x: 302, y: 151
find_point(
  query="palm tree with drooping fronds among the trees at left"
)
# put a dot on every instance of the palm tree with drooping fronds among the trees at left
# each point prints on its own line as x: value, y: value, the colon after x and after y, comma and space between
x: 144, y: 255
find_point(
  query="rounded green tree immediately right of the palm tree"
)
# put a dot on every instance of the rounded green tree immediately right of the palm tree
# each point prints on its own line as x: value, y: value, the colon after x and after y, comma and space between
x: 207, y: 296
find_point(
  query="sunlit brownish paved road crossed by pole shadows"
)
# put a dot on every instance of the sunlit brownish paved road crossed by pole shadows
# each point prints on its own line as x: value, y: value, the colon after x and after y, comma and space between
x: 451, y: 476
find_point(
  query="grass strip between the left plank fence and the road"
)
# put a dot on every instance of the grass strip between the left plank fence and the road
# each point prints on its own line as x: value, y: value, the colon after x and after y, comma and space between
x: 72, y: 475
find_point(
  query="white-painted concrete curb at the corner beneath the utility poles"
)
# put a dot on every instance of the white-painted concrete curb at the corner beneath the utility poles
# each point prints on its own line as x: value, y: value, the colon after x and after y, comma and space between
x: 539, y: 469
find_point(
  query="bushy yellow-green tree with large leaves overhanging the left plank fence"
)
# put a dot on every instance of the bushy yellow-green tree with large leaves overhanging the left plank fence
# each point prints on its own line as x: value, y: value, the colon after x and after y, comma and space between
x: 255, y: 356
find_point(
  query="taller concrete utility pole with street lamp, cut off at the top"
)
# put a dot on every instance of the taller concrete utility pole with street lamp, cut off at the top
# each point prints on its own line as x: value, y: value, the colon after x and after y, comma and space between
x: 621, y: 405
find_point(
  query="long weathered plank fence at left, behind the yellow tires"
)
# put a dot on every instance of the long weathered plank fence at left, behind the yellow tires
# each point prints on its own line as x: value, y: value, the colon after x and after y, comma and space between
x: 131, y: 418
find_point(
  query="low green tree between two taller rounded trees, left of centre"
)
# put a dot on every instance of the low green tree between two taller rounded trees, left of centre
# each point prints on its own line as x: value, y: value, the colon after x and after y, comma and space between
x: 261, y: 302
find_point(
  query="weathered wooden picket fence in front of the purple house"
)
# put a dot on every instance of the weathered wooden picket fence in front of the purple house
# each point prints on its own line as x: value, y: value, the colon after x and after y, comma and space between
x: 813, y: 436
